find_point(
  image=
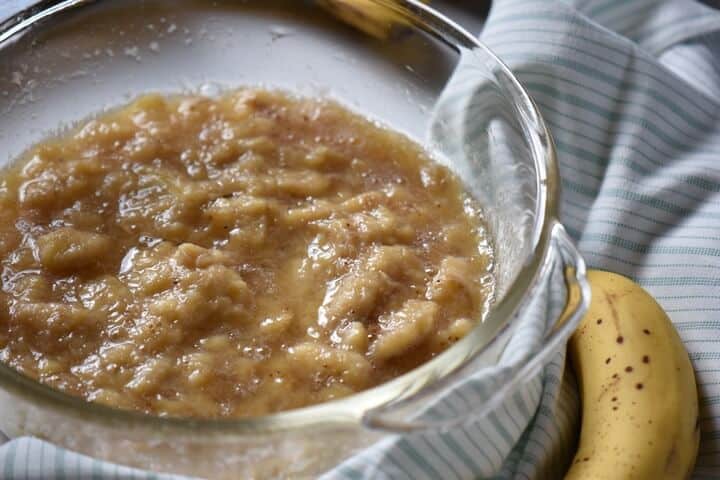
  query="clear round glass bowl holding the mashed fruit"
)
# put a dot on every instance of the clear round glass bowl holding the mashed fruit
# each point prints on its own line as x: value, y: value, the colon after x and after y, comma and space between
x: 63, y: 61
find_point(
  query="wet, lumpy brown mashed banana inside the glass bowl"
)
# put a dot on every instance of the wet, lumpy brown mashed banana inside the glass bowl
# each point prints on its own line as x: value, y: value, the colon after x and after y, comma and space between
x: 236, y: 256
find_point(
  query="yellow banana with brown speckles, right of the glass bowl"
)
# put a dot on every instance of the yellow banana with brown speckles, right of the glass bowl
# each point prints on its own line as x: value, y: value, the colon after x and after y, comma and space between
x: 639, y: 399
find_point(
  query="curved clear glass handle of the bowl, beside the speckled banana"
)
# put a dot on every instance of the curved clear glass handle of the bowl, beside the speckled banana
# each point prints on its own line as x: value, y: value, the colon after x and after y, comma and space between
x: 403, y: 416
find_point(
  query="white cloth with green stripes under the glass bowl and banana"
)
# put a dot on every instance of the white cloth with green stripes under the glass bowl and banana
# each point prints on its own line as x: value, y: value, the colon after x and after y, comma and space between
x: 631, y: 92
